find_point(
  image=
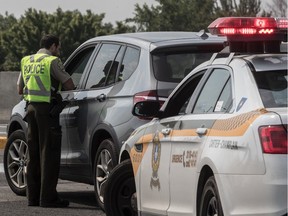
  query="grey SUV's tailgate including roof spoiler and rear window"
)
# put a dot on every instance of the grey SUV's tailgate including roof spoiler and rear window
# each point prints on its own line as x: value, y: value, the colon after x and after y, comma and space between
x: 171, y: 64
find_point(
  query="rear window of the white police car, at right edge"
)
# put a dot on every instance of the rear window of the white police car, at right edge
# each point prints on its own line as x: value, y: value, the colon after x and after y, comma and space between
x: 272, y: 86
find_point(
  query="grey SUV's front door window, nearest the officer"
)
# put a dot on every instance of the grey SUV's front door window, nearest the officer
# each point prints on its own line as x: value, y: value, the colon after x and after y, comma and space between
x: 76, y: 67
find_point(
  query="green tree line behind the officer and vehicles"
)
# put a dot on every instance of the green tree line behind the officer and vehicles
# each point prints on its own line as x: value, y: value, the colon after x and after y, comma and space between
x: 21, y: 36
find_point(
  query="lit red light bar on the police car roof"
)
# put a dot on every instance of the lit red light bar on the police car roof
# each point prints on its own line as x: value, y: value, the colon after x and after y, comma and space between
x: 229, y: 26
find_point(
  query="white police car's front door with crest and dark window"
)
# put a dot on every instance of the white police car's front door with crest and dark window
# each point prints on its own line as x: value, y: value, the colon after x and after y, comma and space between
x: 155, y: 167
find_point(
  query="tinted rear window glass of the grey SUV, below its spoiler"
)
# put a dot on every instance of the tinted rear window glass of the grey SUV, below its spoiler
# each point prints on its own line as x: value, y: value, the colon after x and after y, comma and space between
x: 173, y: 67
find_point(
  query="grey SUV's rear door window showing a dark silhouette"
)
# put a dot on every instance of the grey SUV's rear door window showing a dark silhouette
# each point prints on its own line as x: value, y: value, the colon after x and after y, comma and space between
x: 105, y: 66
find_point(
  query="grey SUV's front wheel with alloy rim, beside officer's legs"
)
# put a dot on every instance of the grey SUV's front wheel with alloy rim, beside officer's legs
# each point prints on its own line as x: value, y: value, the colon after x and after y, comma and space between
x: 15, y: 162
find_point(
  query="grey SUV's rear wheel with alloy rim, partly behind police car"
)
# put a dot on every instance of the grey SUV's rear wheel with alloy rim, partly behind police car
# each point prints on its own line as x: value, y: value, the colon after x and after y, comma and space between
x: 105, y: 161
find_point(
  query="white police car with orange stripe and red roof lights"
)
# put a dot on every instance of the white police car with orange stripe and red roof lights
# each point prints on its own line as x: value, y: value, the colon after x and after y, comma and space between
x: 218, y: 146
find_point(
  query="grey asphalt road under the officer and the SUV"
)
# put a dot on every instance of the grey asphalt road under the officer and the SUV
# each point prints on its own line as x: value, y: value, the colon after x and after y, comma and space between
x: 81, y: 197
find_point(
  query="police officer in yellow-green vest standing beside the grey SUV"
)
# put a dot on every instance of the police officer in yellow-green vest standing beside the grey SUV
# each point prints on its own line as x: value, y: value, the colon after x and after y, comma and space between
x: 41, y: 78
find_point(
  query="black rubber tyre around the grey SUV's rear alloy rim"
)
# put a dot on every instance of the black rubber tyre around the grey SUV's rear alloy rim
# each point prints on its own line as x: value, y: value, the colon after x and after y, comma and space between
x: 106, y: 145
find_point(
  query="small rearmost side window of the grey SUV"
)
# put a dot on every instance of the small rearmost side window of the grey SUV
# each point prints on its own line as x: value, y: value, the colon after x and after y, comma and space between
x: 130, y: 62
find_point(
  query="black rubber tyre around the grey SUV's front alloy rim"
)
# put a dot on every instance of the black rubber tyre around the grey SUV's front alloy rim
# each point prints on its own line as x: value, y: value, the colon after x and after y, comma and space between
x: 16, y: 136
